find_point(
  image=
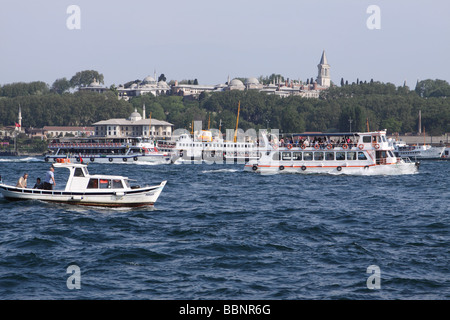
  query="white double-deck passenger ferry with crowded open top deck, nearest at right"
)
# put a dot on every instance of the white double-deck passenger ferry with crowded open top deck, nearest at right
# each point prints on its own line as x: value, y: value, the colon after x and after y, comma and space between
x: 337, y: 153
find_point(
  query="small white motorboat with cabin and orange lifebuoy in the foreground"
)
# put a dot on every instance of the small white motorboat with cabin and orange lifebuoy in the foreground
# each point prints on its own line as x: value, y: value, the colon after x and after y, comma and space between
x: 91, y: 190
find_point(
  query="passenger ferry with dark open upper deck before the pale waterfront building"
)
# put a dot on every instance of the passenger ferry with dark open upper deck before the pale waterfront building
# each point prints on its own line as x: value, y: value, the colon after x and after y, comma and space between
x: 106, y: 150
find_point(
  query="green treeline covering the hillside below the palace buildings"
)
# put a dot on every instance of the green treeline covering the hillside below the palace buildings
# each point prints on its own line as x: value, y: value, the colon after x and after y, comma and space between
x: 339, y: 108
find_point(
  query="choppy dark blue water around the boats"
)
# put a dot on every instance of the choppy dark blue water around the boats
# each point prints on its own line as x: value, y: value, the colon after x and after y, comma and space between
x: 217, y: 232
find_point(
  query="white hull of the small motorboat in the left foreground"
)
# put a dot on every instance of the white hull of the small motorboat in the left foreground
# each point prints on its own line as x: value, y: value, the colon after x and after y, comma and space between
x: 111, y: 198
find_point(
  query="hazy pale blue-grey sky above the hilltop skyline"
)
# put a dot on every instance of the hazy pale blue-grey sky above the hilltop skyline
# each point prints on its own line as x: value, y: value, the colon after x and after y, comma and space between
x: 211, y: 40
